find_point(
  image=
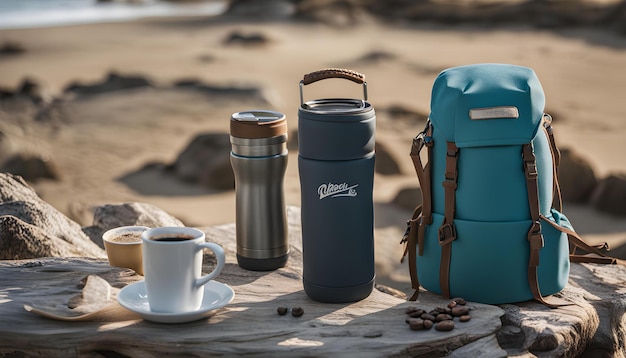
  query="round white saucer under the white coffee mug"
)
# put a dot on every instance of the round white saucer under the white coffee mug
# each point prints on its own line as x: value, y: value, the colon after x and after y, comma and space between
x: 134, y: 297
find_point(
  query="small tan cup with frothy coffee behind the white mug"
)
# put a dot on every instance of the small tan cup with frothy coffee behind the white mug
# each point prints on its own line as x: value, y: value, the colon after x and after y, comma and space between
x: 123, y: 247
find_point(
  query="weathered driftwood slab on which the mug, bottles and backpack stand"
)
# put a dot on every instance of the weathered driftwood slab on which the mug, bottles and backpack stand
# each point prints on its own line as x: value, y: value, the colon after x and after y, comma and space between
x: 250, y: 325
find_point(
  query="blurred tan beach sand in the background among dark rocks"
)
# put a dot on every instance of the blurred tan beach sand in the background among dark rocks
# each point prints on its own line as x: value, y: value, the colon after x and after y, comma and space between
x: 112, y: 136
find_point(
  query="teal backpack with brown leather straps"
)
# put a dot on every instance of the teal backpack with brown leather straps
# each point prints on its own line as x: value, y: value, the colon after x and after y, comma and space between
x: 487, y: 230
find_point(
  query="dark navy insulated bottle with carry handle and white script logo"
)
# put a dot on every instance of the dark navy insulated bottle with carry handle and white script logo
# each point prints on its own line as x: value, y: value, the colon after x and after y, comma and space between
x: 336, y: 167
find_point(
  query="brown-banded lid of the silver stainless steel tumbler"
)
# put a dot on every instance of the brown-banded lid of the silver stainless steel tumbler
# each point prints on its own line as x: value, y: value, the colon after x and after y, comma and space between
x: 257, y: 124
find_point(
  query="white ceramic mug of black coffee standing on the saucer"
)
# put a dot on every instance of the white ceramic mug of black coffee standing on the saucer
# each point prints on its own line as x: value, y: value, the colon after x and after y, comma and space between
x: 172, y: 262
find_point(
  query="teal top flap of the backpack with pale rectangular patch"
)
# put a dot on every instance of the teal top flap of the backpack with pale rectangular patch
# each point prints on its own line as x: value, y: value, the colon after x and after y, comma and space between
x: 487, y: 104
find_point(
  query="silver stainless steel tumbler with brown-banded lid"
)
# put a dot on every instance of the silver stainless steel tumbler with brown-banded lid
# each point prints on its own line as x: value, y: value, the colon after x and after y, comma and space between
x: 259, y: 160
